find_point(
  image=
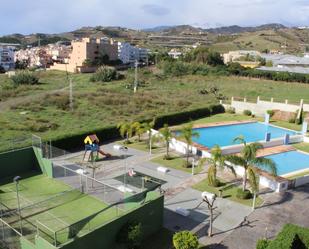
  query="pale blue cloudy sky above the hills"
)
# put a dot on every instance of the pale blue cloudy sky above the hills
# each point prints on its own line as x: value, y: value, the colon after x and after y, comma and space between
x: 55, y: 16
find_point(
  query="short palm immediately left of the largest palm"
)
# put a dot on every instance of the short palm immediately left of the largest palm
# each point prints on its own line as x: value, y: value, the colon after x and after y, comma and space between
x: 216, y: 160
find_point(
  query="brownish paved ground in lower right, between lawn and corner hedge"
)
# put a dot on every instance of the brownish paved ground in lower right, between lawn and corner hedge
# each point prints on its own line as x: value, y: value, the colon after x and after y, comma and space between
x: 267, y: 221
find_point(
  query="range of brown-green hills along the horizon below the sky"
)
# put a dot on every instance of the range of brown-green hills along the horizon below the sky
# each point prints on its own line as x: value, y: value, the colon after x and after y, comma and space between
x: 269, y: 36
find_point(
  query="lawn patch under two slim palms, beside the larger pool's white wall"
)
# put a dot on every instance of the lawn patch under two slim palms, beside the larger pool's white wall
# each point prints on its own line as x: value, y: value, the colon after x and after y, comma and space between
x: 176, y: 162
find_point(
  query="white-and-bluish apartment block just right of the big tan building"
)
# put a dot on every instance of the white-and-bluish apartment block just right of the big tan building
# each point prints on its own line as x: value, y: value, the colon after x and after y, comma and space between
x: 129, y: 54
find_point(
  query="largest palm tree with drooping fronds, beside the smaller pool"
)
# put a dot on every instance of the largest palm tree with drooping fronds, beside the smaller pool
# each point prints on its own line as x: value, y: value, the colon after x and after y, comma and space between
x: 249, y: 161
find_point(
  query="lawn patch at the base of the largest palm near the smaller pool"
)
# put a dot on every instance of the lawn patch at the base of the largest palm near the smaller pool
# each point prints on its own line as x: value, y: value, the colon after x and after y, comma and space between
x: 229, y: 192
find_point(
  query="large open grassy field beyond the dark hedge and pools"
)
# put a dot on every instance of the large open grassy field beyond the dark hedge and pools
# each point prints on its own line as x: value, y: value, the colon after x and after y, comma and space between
x: 27, y: 110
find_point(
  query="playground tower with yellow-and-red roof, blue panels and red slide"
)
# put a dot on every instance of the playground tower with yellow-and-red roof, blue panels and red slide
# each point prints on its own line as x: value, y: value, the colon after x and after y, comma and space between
x: 92, y: 145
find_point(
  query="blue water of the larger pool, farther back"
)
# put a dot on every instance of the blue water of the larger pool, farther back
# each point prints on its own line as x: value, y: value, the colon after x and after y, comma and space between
x: 224, y: 135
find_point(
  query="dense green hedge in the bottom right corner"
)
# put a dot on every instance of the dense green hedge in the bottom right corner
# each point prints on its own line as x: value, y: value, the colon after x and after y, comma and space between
x: 285, y: 238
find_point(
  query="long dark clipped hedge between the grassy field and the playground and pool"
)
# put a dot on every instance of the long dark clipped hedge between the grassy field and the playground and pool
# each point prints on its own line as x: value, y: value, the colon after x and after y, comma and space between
x: 75, y: 141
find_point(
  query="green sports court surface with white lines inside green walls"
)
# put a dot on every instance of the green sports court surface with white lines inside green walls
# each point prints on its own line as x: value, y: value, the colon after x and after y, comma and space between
x: 60, y: 212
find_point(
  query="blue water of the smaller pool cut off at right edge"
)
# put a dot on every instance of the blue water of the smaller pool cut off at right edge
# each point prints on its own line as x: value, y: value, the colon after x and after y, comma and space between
x: 288, y: 162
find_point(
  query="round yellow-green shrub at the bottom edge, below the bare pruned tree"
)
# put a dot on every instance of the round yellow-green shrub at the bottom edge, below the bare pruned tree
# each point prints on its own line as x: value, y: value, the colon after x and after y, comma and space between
x: 185, y: 240
